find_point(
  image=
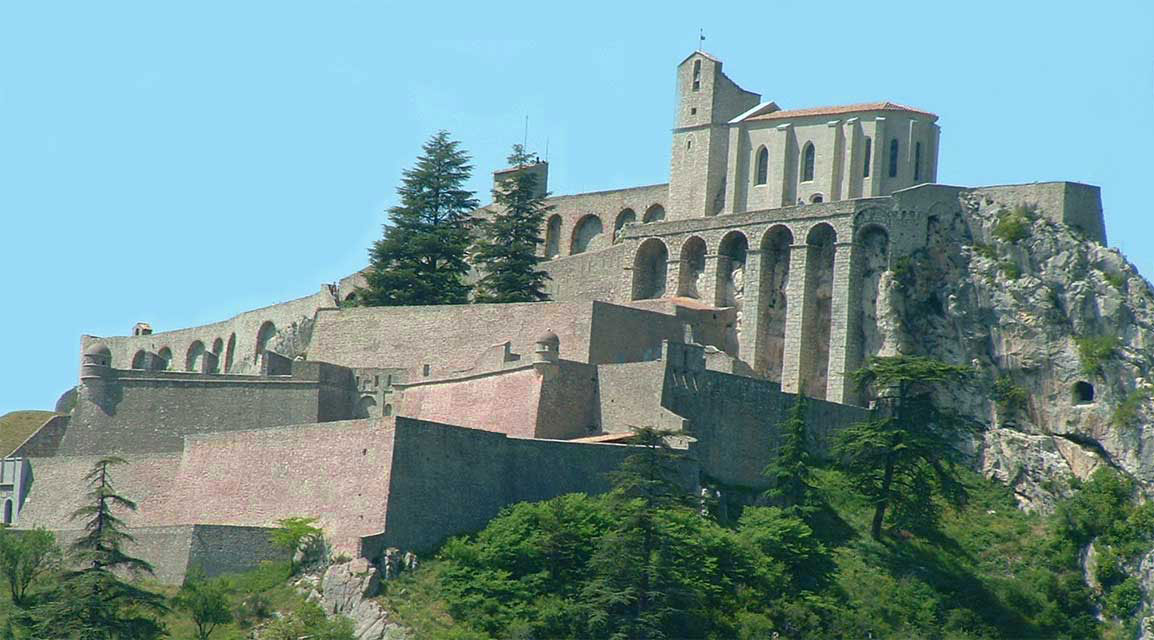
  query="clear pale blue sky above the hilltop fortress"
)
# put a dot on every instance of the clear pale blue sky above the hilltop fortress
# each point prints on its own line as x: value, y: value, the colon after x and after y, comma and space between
x: 178, y: 163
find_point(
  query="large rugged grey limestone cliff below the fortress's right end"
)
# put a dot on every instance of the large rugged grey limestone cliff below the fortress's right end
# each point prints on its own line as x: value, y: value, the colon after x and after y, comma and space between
x: 1015, y: 304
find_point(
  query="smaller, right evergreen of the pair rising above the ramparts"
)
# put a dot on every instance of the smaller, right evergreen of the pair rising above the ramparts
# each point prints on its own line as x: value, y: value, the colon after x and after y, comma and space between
x: 507, y: 253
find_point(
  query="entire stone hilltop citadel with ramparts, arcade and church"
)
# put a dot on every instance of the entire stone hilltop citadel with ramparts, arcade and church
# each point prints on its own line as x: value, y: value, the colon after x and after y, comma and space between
x: 761, y: 272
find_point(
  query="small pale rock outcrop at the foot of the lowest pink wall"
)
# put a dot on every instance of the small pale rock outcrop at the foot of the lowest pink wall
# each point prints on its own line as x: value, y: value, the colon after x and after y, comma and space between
x: 347, y: 590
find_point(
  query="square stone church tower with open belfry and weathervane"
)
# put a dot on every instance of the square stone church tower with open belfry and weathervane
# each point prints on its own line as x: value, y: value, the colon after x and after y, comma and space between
x: 707, y: 102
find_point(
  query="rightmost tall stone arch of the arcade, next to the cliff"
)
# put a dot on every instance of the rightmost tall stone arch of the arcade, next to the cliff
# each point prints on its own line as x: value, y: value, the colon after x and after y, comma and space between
x: 872, y: 259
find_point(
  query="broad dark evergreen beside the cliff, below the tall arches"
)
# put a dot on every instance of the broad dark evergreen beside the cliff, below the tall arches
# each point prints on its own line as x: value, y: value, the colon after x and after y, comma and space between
x: 904, y: 456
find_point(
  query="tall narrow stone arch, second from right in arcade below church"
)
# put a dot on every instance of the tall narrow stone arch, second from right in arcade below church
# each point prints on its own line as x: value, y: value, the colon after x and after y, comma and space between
x: 818, y: 313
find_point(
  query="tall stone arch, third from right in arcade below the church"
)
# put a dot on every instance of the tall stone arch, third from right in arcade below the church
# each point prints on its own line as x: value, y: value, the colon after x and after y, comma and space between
x: 769, y: 353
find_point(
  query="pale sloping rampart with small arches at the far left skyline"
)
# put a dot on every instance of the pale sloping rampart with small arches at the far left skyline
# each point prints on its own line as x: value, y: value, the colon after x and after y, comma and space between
x: 237, y: 343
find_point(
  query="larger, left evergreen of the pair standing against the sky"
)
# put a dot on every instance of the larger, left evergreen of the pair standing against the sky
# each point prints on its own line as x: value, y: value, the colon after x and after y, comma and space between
x: 422, y: 258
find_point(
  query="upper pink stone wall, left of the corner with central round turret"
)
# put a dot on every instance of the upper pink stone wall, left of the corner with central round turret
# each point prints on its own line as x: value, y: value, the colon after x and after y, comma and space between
x: 505, y: 403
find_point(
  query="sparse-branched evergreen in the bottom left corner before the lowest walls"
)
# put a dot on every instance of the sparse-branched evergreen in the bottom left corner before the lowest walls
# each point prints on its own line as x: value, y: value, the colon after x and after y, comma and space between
x: 93, y: 603
